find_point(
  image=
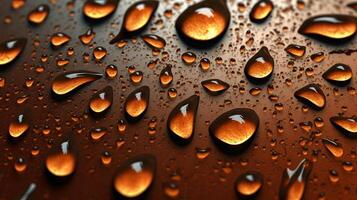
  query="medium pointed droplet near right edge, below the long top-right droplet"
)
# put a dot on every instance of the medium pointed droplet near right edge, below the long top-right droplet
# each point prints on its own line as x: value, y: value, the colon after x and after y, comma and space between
x: 338, y: 74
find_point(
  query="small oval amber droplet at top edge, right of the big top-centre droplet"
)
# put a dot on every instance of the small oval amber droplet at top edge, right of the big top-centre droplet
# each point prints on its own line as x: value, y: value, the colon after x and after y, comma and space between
x: 261, y: 11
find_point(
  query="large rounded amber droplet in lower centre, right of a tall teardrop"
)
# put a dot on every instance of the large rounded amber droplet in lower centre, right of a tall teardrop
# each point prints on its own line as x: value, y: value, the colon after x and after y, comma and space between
x: 235, y: 129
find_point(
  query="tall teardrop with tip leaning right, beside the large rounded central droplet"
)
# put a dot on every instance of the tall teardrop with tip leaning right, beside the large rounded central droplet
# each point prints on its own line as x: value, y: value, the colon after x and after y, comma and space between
x: 181, y: 121
